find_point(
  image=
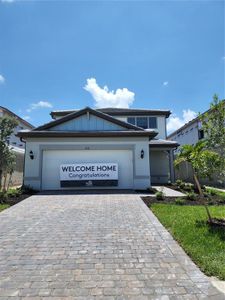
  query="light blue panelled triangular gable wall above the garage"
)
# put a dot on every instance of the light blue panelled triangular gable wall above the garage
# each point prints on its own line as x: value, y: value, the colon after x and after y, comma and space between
x: 87, y: 122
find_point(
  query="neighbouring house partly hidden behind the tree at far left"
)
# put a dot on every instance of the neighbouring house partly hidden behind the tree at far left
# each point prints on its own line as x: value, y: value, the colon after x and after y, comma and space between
x: 16, y: 144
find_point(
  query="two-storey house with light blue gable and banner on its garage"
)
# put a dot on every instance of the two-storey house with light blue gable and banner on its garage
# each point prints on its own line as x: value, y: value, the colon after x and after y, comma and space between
x: 103, y: 148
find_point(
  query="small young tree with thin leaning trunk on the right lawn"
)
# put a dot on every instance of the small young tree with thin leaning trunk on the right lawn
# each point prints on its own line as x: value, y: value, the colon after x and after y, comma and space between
x: 203, y: 162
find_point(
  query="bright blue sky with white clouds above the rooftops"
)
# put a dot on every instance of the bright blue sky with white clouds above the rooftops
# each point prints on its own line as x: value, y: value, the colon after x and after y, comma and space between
x: 149, y: 54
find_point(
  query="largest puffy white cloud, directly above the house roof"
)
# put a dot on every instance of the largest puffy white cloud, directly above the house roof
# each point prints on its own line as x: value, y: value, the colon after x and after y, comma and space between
x: 105, y: 98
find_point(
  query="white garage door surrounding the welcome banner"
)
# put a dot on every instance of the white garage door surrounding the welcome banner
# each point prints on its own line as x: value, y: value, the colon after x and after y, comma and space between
x: 52, y: 159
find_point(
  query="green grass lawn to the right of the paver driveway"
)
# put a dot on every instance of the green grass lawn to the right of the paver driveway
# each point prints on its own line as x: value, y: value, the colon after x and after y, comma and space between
x: 205, y: 245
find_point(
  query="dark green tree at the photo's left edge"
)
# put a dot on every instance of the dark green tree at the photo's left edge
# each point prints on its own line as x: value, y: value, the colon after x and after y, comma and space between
x: 7, y: 158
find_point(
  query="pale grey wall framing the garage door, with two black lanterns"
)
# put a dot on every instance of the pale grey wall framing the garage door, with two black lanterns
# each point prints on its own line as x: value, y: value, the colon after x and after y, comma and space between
x: 33, y: 168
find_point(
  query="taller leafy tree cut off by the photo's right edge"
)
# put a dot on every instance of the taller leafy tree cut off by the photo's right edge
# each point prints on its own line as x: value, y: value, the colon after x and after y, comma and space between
x: 213, y: 125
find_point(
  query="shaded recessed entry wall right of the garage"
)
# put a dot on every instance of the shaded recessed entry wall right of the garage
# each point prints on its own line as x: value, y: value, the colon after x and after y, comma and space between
x: 159, y: 168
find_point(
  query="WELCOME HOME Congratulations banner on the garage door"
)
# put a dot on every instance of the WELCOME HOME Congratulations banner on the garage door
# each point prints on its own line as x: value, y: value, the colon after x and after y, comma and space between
x: 88, y: 174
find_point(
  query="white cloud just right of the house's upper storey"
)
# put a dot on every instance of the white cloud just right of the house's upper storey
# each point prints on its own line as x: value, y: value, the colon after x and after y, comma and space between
x: 175, y: 122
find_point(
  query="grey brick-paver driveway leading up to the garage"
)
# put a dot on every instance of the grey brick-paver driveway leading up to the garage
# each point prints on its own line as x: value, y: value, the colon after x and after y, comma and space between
x: 93, y: 247
